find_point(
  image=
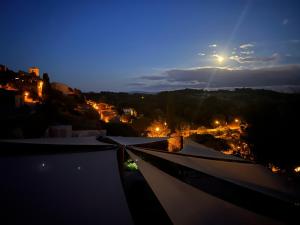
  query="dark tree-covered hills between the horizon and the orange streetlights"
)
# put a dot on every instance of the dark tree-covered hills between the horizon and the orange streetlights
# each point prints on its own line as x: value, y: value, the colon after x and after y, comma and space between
x: 273, y: 117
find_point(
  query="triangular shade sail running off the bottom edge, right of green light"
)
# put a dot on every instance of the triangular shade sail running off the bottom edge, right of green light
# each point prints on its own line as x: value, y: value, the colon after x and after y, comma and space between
x: 190, y: 206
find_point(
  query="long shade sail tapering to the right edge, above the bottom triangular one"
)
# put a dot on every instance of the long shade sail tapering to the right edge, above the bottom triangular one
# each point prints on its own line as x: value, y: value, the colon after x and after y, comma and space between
x: 249, y: 175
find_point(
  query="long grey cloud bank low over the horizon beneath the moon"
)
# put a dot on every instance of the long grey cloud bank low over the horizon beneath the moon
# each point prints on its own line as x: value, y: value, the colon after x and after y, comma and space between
x: 224, y: 77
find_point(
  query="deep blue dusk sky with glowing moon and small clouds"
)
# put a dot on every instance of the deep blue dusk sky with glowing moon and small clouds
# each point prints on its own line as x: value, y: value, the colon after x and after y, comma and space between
x: 137, y: 45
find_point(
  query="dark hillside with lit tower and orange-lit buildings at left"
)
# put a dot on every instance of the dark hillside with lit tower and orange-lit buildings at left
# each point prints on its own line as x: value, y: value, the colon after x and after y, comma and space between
x: 31, y: 106
